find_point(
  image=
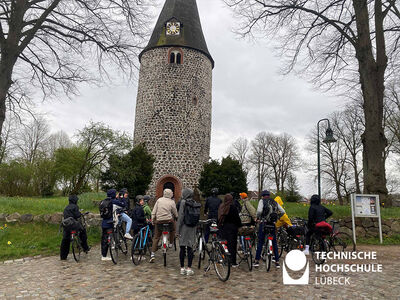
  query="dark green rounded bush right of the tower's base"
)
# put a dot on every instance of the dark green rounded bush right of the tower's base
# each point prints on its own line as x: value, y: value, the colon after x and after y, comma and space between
x: 228, y: 176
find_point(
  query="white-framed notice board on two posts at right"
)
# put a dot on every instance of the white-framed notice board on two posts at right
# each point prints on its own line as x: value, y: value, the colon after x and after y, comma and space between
x: 365, y: 206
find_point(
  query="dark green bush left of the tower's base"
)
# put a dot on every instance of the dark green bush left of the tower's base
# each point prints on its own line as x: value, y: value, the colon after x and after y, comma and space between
x: 133, y: 171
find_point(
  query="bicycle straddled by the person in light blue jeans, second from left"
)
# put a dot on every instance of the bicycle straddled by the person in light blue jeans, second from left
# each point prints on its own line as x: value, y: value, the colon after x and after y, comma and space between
x: 116, y: 240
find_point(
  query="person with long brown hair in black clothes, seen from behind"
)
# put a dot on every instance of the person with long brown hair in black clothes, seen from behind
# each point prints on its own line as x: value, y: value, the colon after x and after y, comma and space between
x: 229, y: 224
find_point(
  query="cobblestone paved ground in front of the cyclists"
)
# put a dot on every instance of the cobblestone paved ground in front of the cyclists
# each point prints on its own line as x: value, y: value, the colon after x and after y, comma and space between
x: 49, y: 278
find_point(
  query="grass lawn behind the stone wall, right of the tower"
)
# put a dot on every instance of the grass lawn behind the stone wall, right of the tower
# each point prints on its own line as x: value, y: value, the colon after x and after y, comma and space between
x: 339, y: 212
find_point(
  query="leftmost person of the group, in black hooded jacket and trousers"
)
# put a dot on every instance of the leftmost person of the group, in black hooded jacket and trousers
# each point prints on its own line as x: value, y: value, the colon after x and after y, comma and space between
x: 72, y: 210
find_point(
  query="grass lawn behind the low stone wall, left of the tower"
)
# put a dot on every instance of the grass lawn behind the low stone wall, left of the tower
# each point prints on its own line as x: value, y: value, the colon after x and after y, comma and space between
x: 41, y: 206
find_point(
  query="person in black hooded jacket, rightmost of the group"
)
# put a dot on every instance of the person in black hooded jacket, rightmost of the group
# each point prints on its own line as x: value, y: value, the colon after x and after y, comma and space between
x: 316, y: 213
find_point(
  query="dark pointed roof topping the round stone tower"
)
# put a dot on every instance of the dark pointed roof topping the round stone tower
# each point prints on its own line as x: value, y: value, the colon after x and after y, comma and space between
x: 185, y: 12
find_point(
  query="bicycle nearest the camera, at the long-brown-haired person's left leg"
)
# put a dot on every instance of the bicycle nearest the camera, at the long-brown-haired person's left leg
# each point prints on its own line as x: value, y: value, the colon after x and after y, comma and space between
x: 218, y: 256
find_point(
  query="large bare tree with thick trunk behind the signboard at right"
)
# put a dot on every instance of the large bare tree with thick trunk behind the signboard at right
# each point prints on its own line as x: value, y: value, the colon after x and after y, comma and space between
x: 337, y: 43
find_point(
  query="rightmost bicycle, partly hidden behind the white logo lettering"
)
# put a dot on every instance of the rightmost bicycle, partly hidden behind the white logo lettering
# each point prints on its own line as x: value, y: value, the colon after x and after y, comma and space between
x: 326, y: 239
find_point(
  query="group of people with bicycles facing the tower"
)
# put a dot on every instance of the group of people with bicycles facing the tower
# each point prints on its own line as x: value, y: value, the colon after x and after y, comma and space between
x: 230, y: 214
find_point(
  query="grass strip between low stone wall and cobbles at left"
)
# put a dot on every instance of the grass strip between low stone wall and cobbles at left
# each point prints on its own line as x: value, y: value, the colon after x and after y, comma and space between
x: 24, y: 240
